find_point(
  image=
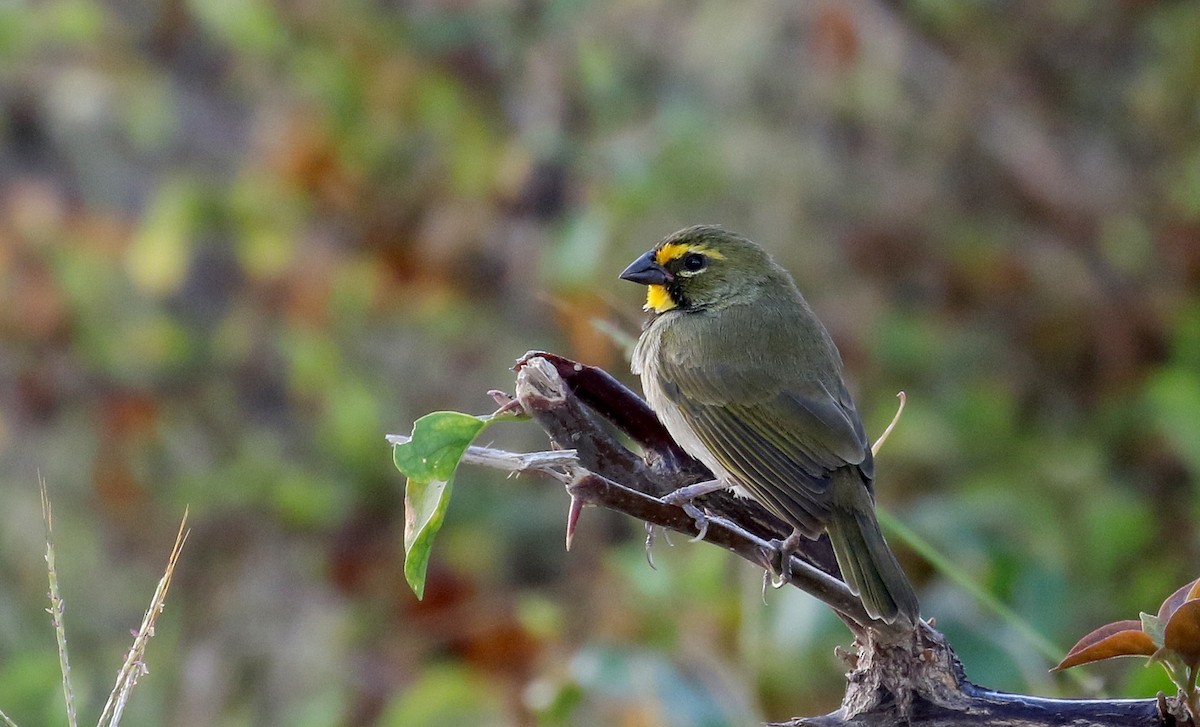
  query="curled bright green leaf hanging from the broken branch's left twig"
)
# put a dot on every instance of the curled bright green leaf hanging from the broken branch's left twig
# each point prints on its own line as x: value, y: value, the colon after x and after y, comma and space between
x: 429, y: 460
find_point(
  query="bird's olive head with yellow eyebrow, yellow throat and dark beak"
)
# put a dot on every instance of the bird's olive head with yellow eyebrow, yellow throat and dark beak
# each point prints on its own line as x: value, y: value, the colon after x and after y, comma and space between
x: 703, y: 267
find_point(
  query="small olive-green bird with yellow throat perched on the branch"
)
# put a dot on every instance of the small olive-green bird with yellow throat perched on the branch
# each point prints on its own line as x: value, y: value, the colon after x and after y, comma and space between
x: 747, y: 381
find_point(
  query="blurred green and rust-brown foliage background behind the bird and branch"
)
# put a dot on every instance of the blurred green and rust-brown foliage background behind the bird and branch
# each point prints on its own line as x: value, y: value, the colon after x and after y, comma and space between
x: 242, y: 241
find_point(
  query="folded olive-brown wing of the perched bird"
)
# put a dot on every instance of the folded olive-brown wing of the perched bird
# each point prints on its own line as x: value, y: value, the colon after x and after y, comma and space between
x: 779, y: 440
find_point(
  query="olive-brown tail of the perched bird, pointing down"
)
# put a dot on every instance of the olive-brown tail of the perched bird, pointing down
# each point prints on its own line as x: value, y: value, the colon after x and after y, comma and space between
x: 868, y: 564
